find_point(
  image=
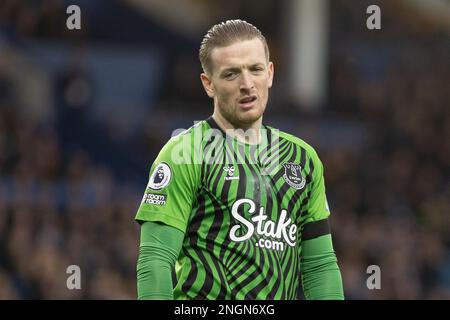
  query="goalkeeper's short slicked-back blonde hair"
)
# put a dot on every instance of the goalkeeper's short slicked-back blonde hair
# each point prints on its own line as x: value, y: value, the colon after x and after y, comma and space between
x: 224, y: 34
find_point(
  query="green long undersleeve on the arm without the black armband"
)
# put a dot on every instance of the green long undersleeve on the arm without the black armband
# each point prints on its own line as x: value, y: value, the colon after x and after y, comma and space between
x: 159, y: 249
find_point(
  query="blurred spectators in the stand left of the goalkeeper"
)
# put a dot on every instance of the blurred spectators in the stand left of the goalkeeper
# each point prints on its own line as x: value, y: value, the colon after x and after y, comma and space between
x: 58, y: 210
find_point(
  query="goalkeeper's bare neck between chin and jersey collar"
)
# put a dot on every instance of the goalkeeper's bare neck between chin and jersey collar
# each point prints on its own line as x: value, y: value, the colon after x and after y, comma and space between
x: 248, y: 134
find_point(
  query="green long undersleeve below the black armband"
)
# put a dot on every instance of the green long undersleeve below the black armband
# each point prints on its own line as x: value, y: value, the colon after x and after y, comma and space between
x: 321, y: 278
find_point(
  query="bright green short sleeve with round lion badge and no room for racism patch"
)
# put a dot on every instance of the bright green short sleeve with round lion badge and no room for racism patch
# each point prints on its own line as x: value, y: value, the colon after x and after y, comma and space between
x: 172, y: 186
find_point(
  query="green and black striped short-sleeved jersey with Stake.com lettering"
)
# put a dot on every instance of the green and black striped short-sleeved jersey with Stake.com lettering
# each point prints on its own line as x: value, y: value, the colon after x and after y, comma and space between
x: 242, y: 208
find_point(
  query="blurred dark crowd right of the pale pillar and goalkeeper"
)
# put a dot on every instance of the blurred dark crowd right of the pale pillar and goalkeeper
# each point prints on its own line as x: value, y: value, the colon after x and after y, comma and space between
x: 391, y: 197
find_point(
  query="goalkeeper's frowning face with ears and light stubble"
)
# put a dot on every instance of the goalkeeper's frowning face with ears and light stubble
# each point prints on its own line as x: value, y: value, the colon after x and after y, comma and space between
x: 239, y: 81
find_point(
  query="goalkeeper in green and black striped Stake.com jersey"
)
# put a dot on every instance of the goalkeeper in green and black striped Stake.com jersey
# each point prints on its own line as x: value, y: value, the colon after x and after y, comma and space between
x: 234, y: 208
